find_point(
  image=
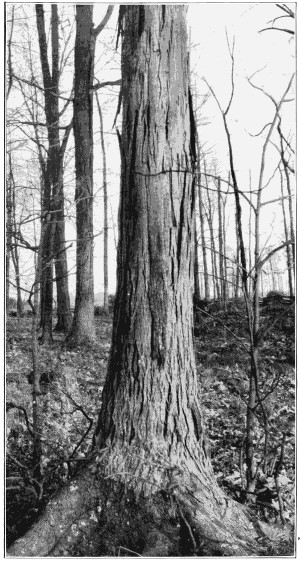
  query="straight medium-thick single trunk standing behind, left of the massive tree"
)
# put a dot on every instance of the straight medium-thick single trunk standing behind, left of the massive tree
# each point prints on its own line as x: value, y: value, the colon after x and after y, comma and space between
x: 83, y: 329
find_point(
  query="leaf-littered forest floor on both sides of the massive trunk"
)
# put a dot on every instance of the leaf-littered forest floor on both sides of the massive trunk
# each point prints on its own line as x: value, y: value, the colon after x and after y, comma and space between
x: 71, y: 385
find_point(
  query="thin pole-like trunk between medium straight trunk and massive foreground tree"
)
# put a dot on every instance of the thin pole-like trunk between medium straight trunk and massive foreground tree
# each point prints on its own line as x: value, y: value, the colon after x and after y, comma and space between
x: 105, y: 209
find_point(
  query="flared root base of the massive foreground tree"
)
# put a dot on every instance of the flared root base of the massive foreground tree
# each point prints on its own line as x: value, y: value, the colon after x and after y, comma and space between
x: 100, y: 515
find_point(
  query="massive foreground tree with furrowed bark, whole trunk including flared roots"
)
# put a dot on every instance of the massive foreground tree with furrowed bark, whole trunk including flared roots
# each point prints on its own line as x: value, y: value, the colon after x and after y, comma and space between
x: 150, y: 428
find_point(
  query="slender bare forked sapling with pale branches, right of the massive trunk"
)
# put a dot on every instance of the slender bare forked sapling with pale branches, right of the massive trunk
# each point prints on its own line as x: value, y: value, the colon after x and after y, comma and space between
x: 255, y: 396
